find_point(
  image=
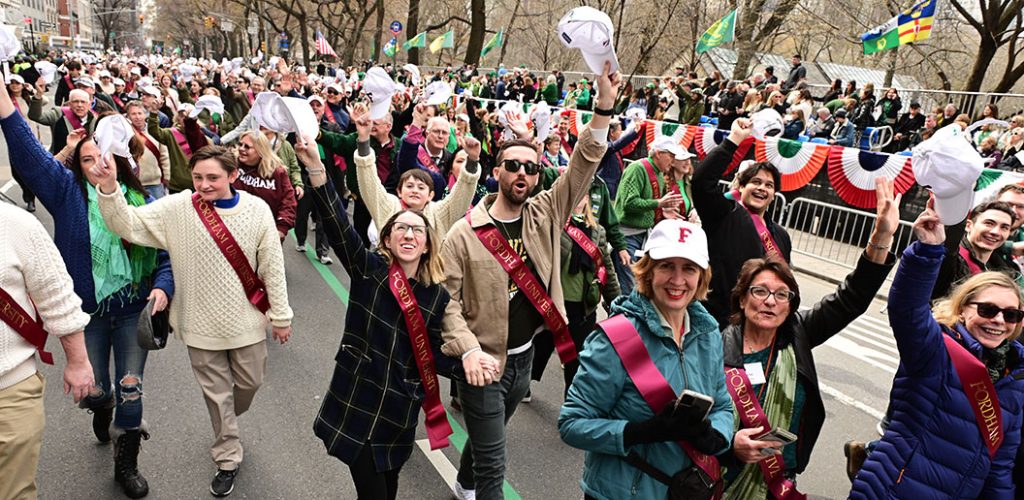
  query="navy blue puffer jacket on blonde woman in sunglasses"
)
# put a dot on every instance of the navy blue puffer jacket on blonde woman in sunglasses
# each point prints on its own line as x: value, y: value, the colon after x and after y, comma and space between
x: 933, y: 448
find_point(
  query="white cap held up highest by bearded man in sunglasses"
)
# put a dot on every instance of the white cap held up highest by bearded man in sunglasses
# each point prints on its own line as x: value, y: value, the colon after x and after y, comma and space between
x: 592, y: 32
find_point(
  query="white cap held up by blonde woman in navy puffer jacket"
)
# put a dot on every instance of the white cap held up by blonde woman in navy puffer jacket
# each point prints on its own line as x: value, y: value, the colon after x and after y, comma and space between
x: 949, y: 166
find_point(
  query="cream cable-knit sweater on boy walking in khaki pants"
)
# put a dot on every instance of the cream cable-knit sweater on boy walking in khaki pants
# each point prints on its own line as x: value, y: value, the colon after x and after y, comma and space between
x: 210, y: 310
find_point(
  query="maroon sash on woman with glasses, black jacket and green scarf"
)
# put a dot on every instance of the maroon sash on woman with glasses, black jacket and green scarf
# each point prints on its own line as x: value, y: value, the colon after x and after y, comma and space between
x: 752, y: 415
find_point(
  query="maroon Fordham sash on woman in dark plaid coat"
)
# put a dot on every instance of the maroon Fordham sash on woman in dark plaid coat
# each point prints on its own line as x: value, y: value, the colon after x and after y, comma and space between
x: 439, y: 428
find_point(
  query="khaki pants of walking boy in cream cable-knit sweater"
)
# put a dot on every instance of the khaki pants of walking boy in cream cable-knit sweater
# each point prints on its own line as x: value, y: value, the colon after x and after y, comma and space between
x: 230, y: 381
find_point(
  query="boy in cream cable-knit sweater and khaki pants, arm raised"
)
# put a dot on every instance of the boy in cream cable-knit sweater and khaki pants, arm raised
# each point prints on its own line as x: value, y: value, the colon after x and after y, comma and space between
x: 226, y: 335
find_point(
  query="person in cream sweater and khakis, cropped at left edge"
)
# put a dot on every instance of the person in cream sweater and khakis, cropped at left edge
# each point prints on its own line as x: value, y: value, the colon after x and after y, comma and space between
x: 32, y: 273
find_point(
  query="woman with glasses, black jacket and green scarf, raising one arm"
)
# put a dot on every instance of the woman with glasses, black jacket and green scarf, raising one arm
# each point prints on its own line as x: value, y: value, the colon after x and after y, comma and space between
x: 770, y: 365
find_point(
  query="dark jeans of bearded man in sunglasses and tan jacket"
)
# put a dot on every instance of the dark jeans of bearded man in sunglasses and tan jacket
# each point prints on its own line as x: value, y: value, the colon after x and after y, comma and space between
x: 487, y: 411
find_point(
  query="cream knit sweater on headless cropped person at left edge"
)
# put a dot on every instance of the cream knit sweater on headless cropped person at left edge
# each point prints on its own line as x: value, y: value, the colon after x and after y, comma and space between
x: 31, y: 267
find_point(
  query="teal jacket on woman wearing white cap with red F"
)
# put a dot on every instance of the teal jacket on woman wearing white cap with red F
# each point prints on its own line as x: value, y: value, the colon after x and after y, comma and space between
x: 603, y: 400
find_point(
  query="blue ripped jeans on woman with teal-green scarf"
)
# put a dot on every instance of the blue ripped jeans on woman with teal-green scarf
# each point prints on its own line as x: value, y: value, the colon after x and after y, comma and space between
x: 117, y: 335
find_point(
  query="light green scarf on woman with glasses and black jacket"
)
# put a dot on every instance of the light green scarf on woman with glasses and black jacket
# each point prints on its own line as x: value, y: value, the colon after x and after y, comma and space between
x: 779, y: 407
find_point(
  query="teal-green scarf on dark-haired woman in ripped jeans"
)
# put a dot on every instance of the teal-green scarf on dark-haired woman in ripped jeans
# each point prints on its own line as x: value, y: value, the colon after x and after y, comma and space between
x: 113, y: 267
